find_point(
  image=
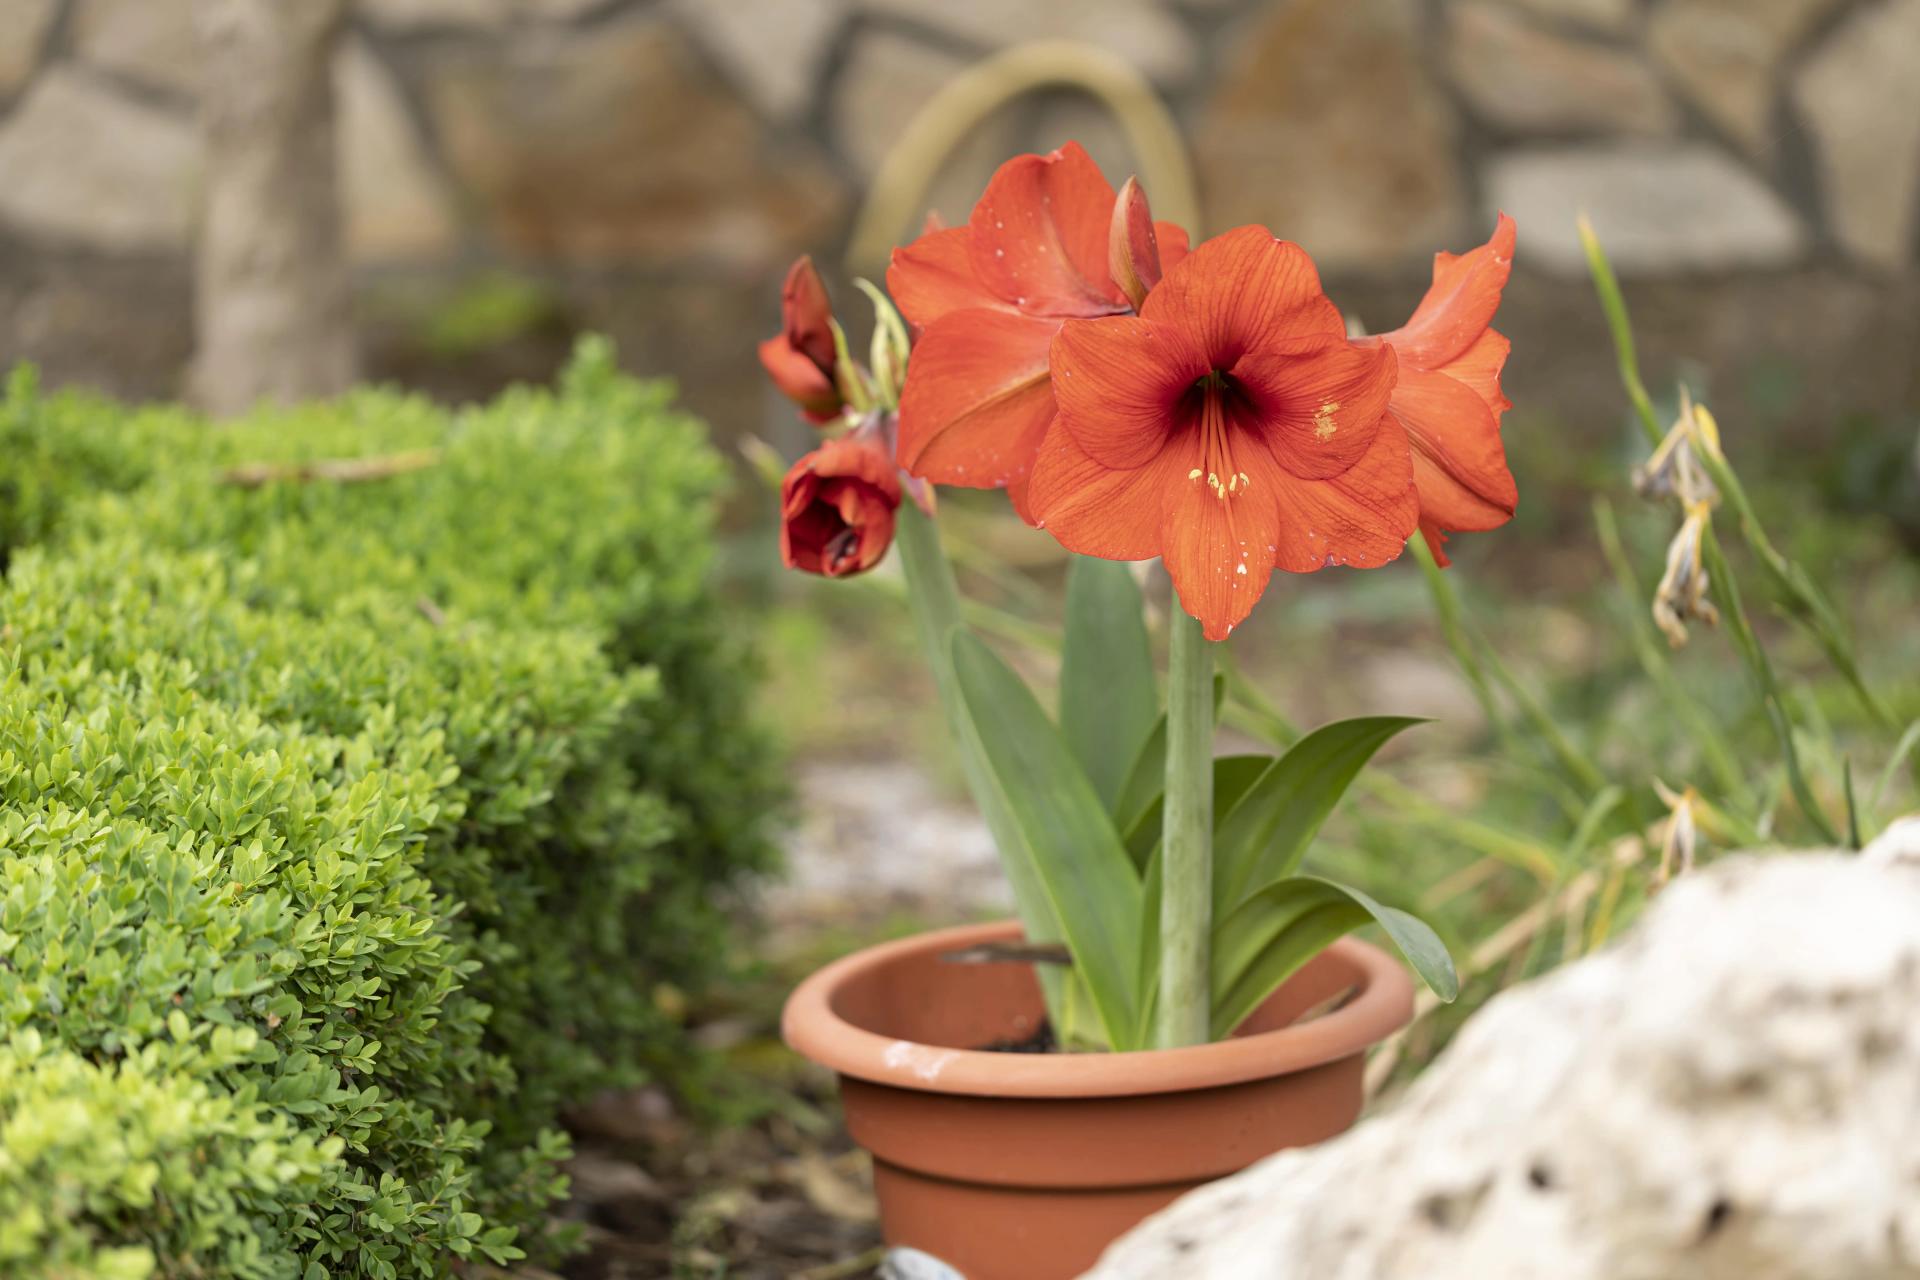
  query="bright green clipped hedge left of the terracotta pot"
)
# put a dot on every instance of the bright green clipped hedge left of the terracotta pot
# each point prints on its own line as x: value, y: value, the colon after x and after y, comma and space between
x: 350, y: 830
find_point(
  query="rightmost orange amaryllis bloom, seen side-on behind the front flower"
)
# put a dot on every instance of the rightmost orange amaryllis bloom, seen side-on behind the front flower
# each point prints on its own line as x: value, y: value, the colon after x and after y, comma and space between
x: 1449, y: 394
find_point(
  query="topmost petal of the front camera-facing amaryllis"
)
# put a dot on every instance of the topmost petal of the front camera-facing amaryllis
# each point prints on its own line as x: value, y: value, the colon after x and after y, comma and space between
x: 1241, y: 293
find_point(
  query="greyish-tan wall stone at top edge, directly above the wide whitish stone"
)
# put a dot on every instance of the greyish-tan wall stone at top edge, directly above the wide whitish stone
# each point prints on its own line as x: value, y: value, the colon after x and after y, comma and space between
x: 1527, y: 80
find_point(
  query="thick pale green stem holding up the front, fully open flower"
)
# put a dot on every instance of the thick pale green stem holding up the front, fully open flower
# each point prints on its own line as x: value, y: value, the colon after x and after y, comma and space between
x: 1188, y: 863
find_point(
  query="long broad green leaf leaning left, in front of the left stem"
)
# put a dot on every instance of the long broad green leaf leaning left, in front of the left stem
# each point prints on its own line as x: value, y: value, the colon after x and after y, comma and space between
x: 1063, y: 832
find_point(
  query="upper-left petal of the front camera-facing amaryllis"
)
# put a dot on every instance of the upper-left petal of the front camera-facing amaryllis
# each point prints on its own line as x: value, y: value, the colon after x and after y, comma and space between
x: 1118, y: 383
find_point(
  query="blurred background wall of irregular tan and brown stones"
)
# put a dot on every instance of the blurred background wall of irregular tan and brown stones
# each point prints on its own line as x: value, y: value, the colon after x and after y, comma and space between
x: 517, y: 170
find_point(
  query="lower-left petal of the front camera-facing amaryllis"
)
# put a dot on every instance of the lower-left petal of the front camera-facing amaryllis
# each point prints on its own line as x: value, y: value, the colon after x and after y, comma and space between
x: 1093, y: 510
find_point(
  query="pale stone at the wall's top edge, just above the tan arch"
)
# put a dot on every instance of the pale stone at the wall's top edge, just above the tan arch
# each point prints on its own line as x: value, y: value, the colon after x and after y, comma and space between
x: 1151, y: 39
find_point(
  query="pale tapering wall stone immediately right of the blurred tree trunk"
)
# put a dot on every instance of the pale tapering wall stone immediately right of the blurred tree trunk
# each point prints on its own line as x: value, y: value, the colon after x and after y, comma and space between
x: 396, y: 202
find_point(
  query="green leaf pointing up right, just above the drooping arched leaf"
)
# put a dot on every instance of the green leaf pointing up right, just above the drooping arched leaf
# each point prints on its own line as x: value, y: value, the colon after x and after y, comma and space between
x: 1268, y: 832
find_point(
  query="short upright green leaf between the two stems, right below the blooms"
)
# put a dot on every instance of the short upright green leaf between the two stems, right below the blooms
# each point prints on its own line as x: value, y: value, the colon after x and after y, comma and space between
x: 1109, y: 699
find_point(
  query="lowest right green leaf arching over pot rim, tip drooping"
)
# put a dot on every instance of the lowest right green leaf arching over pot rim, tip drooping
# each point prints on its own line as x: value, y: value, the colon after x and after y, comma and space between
x: 1289, y: 922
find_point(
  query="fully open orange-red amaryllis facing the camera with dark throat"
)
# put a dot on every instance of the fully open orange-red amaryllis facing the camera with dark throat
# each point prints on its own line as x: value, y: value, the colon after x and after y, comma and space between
x: 1230, y: 429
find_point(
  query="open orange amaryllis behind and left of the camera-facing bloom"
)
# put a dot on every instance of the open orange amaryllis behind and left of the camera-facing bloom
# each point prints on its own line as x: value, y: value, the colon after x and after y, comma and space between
x: 988, y: 300
